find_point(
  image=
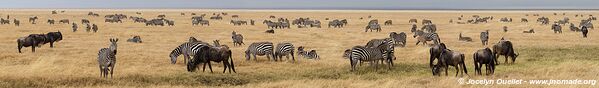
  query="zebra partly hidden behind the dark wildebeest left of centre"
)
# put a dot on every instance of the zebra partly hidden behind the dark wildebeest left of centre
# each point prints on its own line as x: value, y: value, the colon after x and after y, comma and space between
x: 186, y: 49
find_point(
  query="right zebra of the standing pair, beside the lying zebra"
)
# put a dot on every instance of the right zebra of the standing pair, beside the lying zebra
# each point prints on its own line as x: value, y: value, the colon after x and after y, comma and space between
x: 284, y: 49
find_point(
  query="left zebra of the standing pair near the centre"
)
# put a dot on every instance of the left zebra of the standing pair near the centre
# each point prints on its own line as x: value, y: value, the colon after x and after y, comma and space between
x: 260, y: 49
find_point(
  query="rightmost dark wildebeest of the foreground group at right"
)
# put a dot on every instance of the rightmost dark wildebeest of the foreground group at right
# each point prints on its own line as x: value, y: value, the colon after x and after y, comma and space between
x: 504, y: 47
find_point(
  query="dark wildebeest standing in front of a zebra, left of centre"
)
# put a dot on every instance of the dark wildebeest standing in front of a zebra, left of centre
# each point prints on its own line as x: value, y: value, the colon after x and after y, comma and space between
x: 214, y: 54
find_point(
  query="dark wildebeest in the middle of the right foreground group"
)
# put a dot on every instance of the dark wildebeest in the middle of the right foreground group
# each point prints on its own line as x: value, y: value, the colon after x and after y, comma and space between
x: 484, y: 57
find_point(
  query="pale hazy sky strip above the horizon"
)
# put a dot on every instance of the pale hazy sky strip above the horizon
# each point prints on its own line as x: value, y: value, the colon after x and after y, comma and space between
x: 308, y: 4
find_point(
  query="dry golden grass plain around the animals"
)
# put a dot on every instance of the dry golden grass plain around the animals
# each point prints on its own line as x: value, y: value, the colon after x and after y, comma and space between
x: 73, y: 61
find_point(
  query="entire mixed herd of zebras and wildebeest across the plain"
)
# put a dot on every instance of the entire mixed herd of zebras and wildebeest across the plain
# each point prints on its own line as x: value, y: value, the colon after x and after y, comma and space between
x: 196, y: 52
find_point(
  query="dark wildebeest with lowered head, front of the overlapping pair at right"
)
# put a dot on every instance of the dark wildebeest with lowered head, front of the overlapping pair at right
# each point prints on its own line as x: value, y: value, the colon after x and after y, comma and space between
x: 453, y: 58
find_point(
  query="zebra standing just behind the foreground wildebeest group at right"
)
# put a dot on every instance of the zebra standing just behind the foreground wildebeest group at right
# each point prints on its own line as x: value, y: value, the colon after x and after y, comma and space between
x: 422, y: 36
